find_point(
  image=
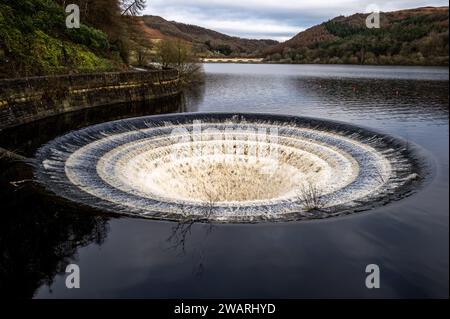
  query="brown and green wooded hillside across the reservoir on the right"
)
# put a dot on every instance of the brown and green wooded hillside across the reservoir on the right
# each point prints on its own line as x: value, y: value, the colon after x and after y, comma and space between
x: 416, y: 36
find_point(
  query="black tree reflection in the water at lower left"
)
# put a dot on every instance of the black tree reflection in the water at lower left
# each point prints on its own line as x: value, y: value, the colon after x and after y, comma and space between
x: 39, y: 236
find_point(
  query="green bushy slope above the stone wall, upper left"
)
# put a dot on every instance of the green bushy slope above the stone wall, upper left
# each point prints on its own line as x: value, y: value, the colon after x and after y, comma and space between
x: 35, y: 41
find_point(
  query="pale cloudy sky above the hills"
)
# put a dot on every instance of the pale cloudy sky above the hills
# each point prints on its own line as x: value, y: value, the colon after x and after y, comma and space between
x: 268, y: 19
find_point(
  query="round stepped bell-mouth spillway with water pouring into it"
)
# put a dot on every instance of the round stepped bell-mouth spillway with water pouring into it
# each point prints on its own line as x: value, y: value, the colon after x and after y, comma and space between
x: 228, y: 167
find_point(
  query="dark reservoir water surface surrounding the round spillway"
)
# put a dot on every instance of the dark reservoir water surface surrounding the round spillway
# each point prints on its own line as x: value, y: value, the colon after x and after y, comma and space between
x: 139, y: 258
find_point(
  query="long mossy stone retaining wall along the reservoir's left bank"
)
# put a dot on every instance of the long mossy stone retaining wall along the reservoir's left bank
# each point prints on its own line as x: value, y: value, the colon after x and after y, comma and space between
x: 29, y: 99
